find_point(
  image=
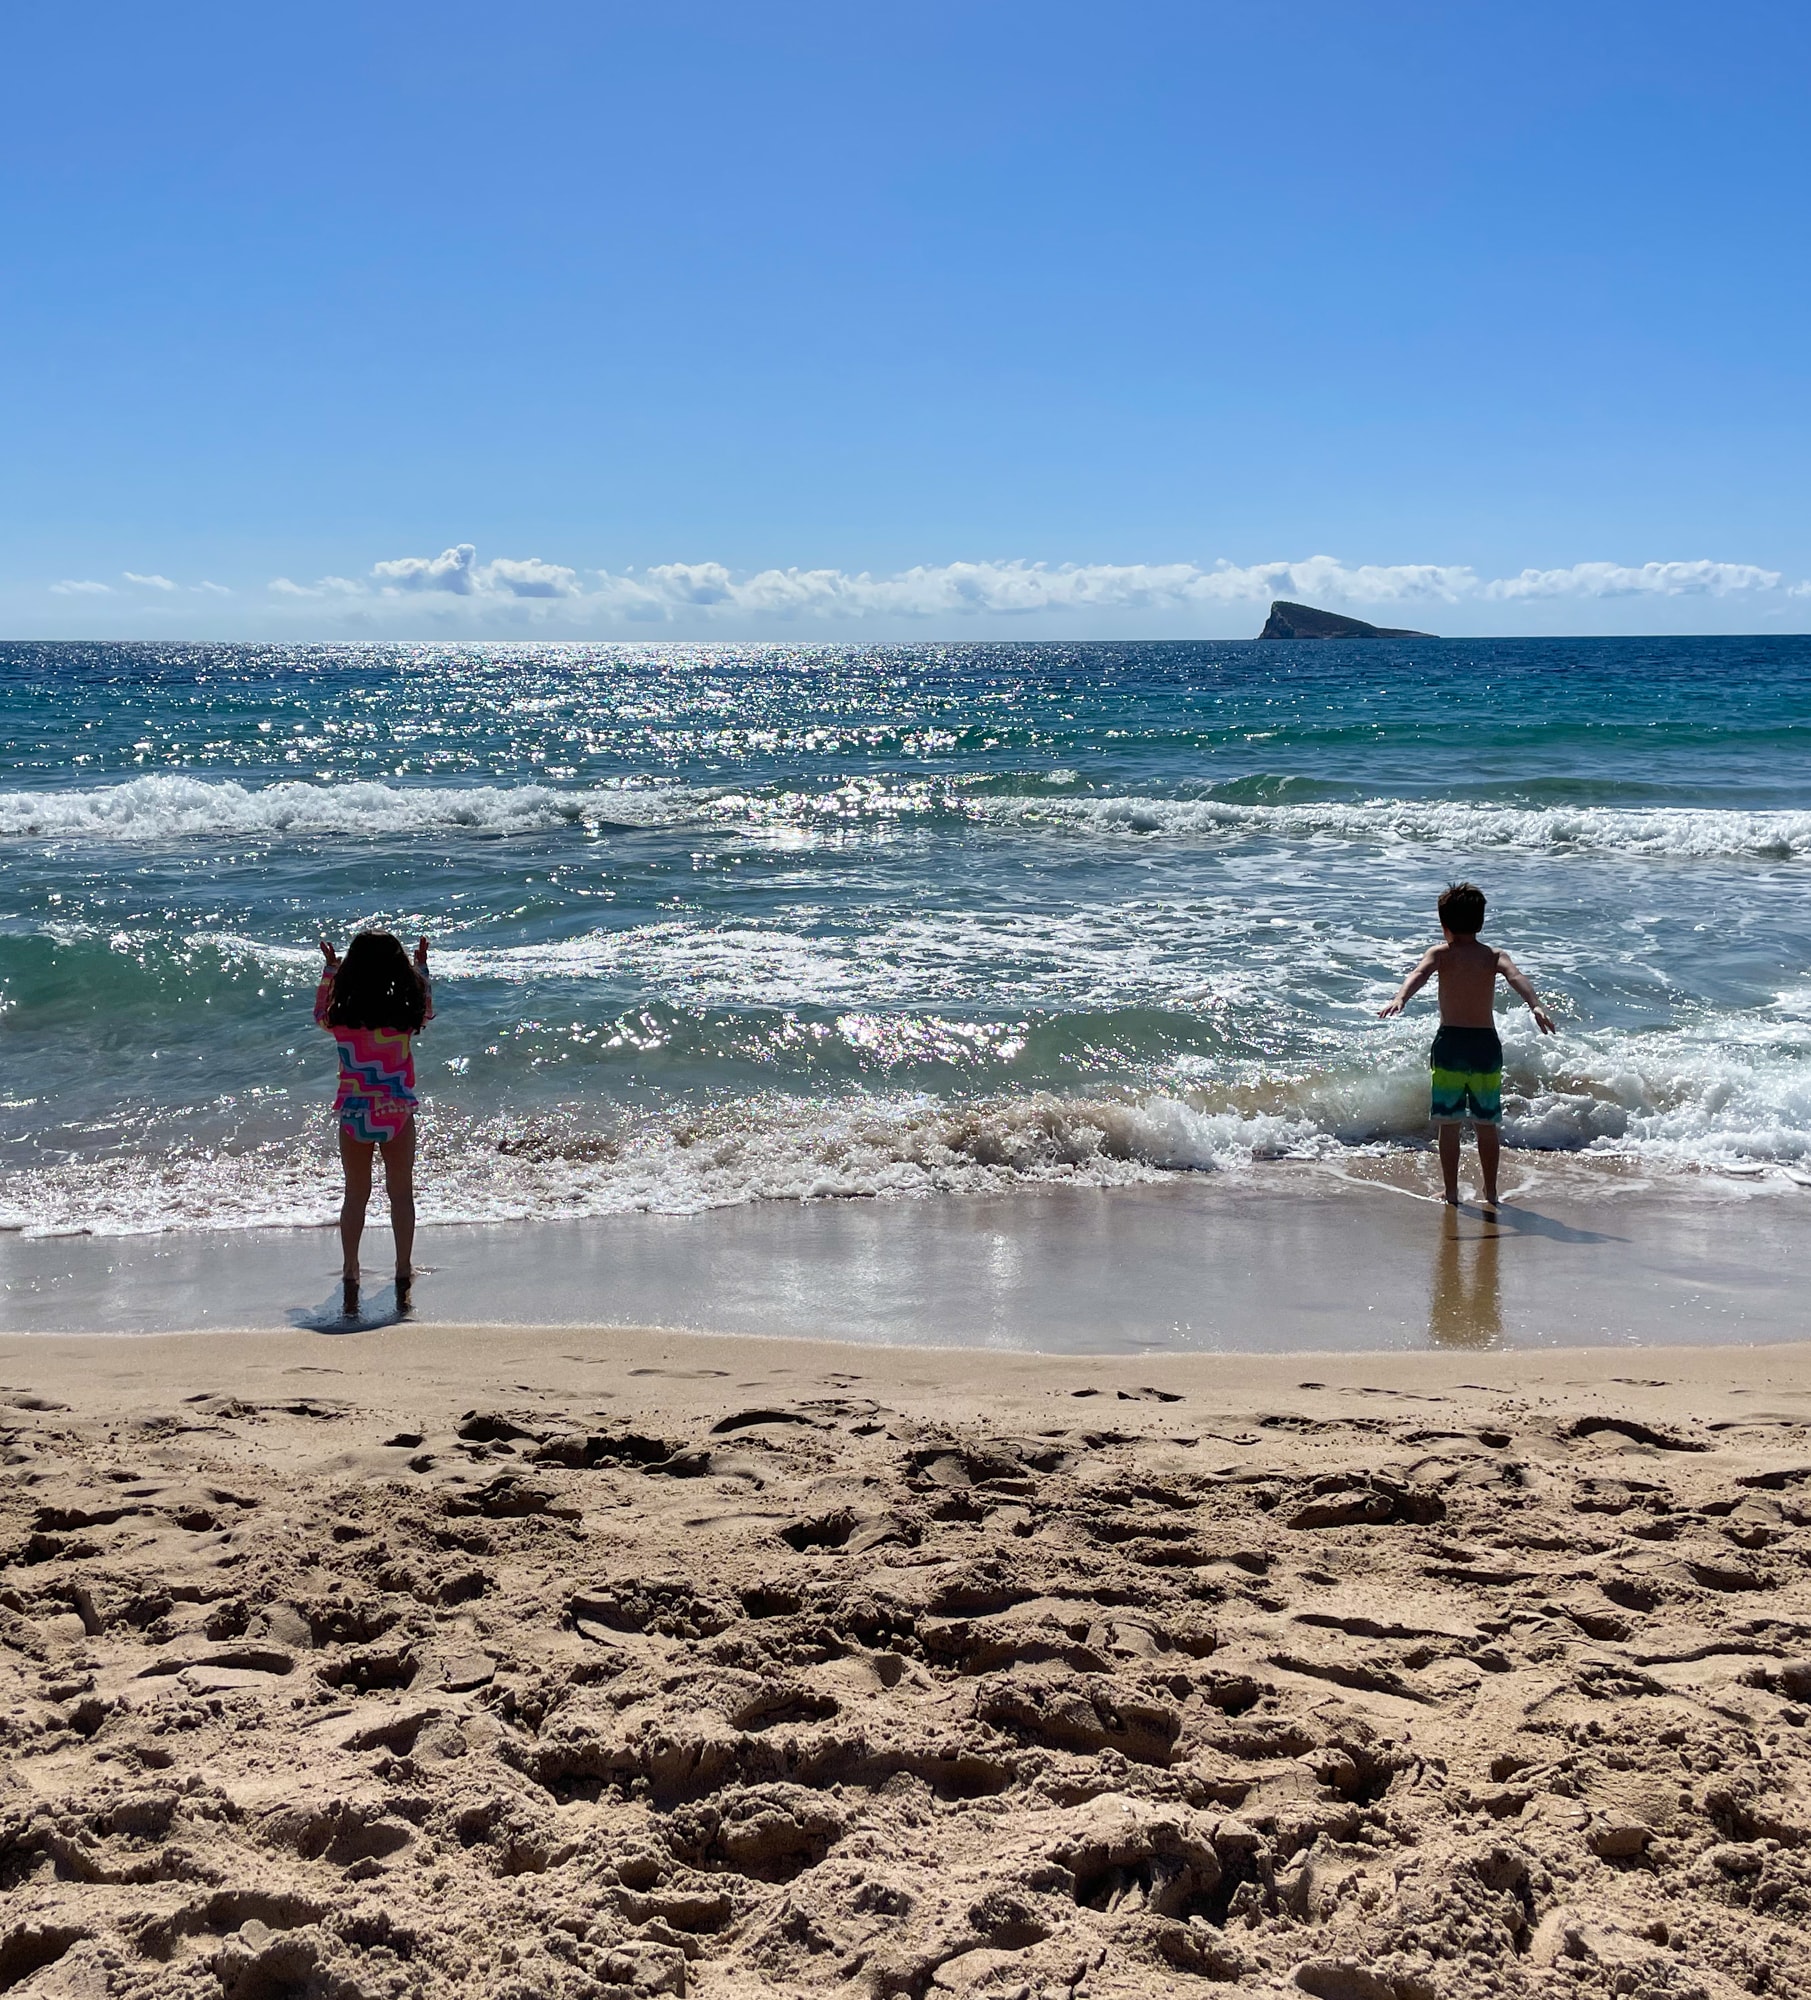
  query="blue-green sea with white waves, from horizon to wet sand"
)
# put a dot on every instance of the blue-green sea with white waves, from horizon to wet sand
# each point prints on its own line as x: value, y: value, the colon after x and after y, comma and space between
x: 767, y: 923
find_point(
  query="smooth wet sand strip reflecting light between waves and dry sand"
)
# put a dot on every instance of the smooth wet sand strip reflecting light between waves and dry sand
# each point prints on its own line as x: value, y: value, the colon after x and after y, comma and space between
x: 1294, y: 1259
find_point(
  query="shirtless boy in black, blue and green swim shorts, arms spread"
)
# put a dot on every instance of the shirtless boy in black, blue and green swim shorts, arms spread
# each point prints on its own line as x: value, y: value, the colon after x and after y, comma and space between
x: 1468, y: 1059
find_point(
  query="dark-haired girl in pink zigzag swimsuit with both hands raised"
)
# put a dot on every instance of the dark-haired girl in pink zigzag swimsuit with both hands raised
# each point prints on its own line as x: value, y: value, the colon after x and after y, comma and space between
x: 373, y: 1003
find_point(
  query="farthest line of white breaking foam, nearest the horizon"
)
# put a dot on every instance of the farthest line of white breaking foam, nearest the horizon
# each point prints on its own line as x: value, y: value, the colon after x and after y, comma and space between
x: 169, y: 807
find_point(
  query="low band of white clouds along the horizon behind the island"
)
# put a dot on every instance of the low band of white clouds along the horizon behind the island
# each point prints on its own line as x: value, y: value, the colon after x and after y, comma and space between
x: 459, y: 593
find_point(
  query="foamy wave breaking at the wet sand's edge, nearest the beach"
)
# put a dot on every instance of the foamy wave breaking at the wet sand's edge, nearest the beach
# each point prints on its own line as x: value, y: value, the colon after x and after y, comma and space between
x: 1674, y: 1103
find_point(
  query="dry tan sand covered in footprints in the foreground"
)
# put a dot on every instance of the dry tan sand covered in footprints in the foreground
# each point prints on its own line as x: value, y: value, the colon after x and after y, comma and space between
x: 617, y: 1663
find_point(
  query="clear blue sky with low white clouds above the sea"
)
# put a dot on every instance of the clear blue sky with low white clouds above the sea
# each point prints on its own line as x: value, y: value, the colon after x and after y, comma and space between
x: 871, y: 321
